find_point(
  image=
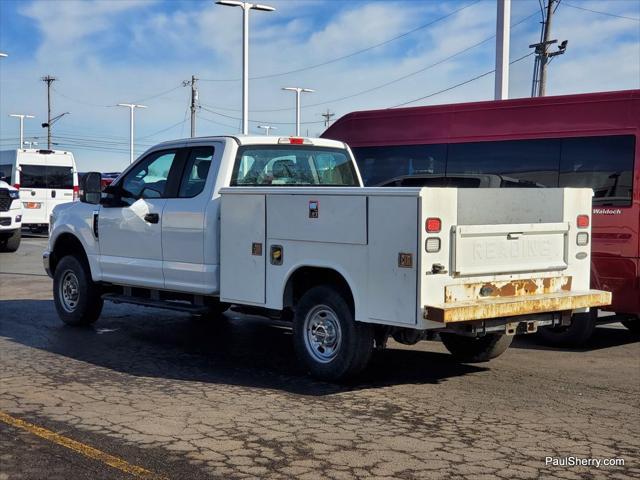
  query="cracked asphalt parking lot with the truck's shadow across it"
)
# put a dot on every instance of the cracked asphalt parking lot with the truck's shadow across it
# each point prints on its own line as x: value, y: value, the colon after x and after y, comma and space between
x: 146, y: 393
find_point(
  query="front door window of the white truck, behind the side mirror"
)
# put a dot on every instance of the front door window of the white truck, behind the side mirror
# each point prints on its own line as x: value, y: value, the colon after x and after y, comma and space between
x: 148, y: 179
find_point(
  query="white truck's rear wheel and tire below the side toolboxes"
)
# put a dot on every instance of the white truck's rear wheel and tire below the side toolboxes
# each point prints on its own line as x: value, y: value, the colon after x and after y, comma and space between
x: 349, y: 344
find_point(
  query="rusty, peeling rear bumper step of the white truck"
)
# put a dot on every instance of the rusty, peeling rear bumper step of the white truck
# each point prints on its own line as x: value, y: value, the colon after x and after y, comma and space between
x: 497, y: 307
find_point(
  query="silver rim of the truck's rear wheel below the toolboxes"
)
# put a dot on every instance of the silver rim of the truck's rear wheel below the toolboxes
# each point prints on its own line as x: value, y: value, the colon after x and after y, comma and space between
x: 322, y: 333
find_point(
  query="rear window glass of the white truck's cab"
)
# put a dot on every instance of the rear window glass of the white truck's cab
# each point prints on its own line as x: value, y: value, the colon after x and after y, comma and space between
x: 300, y: 166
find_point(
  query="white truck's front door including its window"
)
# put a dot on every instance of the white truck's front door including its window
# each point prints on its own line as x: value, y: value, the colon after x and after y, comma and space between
x: 130, y: 222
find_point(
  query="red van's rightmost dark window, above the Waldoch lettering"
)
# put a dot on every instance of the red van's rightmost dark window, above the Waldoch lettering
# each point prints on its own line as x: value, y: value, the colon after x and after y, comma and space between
x: 602, y: 163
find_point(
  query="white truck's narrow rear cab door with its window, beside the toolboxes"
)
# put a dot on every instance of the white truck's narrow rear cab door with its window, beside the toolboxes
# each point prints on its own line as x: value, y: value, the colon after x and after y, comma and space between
x: 185, y: 263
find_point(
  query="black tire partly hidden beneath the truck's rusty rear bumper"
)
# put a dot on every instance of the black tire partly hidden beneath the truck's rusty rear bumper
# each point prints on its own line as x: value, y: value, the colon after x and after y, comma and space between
x: 476, y: 349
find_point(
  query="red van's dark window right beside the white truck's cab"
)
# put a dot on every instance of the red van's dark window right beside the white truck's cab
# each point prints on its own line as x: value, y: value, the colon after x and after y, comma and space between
x: 381, y: 164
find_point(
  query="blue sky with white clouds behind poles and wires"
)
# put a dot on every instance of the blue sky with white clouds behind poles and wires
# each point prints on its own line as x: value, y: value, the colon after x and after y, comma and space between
x: 108, y: 52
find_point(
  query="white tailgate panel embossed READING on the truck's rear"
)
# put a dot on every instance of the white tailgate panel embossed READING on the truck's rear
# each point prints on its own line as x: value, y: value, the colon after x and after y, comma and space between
x: 511, y: 248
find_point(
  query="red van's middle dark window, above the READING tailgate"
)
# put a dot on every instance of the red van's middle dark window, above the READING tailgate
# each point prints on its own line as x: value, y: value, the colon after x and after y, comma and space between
x: 516, y: 163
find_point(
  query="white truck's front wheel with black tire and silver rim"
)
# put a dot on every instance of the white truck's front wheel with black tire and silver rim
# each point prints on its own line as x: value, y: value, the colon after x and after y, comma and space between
x: 76, y: 296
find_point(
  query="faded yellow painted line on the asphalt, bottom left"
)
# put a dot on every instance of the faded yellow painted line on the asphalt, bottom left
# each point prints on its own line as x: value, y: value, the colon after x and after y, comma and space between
x: 81, y: 448
